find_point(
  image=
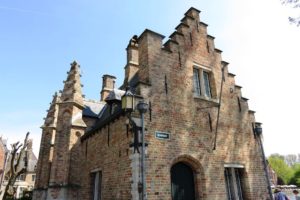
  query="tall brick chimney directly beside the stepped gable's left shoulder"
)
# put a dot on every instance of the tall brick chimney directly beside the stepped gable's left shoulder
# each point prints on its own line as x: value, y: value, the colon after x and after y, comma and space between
x: 132, y: 65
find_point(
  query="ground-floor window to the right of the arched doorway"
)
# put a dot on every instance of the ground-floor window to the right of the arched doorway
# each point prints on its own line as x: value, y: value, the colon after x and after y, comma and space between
x: 233, y: 178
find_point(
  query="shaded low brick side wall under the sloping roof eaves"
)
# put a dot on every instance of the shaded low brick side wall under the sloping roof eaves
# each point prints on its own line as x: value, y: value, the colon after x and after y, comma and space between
x: 112, y: 160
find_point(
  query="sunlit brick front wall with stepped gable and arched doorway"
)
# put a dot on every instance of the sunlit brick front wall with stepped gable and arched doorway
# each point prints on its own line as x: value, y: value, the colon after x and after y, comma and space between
x: 180, y: 113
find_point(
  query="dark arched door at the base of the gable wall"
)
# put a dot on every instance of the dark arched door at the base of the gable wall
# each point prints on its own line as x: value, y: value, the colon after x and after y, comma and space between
x: 182, y: 182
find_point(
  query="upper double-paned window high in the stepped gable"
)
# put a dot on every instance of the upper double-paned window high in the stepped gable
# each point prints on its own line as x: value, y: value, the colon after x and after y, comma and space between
x: 201, y: 80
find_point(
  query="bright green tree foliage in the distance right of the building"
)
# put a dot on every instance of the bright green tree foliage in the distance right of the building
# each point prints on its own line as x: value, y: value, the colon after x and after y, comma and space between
x: 286, y: 174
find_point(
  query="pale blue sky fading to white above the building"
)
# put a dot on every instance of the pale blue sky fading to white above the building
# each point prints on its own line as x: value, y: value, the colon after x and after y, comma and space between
x: 39, y: 39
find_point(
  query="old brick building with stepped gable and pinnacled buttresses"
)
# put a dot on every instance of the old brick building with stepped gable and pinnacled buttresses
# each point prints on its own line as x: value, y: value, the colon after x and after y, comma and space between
x: 199, y: 130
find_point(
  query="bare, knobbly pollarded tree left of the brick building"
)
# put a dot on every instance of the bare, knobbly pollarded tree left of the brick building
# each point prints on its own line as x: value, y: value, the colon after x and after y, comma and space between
x: 17, y: 153
